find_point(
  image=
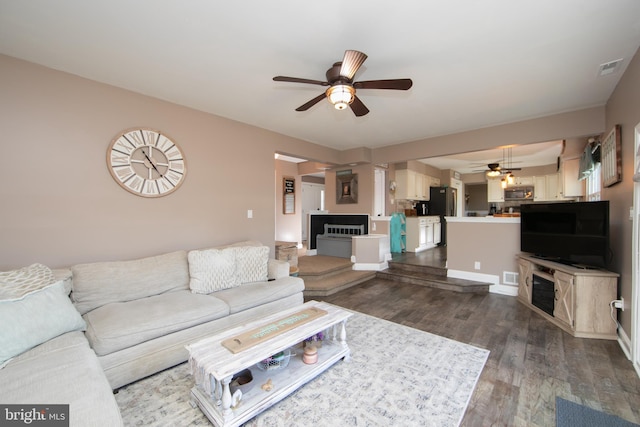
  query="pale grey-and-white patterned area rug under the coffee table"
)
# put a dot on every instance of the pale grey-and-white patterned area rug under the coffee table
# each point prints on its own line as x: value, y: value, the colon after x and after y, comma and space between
x: 397, y: 376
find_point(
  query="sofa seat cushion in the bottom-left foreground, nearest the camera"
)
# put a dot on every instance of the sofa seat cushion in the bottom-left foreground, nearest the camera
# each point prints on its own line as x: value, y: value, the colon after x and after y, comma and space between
x: 63, y: 370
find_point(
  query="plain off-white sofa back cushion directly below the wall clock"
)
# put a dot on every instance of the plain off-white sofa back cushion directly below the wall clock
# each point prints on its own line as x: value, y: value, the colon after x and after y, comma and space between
x: 100, y: 283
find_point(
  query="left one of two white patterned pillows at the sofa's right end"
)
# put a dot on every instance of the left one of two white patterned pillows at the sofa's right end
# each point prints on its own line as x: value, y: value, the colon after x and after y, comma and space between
x: 212, y: 270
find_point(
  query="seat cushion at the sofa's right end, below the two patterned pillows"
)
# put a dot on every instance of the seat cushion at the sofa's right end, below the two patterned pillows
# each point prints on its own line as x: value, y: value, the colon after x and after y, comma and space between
x: 254, y: 294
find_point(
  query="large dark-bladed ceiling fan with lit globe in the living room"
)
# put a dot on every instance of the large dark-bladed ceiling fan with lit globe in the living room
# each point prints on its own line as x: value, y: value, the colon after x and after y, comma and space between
x: 342, y: 89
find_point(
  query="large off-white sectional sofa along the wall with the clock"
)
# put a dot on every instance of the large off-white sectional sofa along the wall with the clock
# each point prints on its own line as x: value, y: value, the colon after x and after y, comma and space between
x: 137, y: 316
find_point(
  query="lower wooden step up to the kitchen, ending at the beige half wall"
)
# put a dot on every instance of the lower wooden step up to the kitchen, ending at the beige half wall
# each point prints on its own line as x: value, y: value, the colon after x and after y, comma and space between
x: 434, y: 281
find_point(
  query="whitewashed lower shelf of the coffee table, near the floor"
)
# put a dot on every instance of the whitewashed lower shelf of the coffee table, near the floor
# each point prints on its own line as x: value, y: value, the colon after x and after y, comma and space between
x: 284, y: 381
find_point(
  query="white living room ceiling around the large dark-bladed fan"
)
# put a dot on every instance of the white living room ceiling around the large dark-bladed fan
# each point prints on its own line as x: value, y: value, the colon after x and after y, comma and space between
x: 473, y: 63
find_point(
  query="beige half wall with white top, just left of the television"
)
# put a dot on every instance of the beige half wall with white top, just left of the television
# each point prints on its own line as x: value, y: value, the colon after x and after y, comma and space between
x: 485, y: 249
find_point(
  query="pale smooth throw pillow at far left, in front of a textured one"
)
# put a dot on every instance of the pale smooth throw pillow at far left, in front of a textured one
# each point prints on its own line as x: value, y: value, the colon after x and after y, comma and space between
x: 34, y: 319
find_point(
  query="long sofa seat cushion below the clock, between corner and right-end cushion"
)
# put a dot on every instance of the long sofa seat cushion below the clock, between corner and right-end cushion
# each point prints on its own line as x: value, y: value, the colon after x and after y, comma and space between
x: 116, y: 326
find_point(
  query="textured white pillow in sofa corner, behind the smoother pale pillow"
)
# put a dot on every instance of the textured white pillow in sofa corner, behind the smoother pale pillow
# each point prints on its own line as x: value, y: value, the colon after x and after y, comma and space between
x: 18, y: 283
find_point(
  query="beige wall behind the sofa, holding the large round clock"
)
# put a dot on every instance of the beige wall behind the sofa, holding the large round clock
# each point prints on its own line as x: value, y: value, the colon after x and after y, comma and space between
x: 61, y: 206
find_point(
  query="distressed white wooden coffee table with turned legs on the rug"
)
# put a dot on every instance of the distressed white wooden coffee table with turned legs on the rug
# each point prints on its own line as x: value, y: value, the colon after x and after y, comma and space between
x: 213, y: 365
